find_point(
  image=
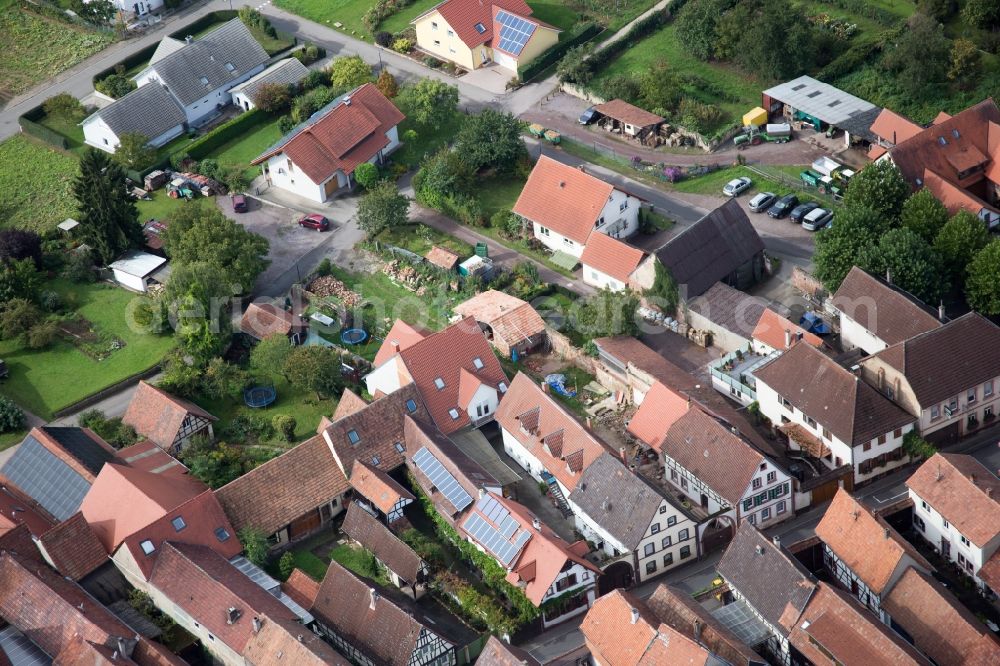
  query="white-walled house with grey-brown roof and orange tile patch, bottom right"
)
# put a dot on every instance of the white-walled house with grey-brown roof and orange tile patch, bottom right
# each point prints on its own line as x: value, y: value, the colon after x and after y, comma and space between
x: 770, y: 584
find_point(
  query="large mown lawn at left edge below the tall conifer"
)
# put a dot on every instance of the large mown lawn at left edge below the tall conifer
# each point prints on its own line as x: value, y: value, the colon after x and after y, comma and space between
x: 44, y: 381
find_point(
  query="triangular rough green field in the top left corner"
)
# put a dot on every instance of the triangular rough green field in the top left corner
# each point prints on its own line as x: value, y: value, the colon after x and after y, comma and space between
x: 38, y: 47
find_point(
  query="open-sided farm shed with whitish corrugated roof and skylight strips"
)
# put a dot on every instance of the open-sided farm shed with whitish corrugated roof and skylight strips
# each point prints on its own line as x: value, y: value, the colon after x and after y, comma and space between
x: 820, y: 105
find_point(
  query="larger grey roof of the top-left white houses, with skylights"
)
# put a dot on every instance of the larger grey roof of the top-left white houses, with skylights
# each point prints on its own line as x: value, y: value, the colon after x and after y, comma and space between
x: 207, y: 57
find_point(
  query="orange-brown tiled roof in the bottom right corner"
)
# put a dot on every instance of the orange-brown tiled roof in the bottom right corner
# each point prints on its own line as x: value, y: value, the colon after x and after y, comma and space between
x: 940, y: 626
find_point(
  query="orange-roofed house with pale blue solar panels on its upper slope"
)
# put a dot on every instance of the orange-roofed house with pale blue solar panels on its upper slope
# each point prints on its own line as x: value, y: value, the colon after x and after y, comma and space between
x: 536, y: 559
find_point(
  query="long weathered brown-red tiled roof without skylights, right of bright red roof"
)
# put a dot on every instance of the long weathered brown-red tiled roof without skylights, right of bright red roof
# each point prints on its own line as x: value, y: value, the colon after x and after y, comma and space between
x: 275, y: 494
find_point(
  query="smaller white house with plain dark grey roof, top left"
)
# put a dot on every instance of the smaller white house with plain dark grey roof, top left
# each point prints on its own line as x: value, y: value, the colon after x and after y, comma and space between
x: 150, y: 111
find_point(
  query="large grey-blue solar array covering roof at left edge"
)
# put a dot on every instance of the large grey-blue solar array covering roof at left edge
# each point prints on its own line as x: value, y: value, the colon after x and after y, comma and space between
x: 46, y: 479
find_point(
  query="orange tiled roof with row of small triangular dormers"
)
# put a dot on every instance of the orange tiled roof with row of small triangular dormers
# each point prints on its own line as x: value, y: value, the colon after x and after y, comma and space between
x: 547, y: 418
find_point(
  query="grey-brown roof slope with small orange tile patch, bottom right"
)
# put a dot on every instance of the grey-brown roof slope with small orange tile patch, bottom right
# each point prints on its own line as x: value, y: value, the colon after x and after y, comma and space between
x: 769, y: 578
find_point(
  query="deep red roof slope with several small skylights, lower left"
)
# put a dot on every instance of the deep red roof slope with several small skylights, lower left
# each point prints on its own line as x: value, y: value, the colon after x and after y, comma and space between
x: 204, y: 524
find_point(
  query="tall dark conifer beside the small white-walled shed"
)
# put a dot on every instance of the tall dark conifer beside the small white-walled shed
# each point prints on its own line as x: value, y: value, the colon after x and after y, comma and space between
x: 108, y: 216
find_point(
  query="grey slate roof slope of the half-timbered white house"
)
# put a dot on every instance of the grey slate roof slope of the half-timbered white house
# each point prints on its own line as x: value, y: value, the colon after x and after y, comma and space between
x: 618, y: 500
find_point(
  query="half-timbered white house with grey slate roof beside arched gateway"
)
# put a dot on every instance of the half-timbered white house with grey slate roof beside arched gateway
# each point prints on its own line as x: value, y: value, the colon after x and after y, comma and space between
x: 631, y: 520
